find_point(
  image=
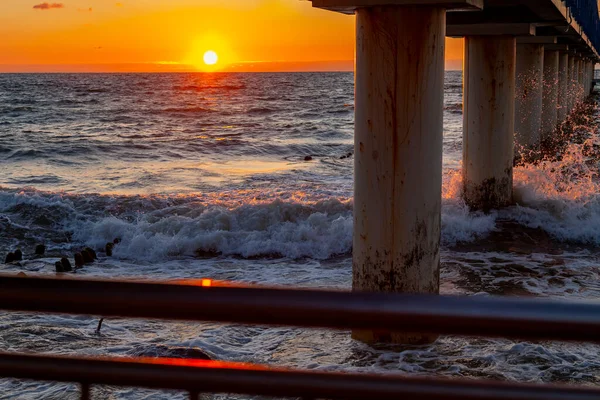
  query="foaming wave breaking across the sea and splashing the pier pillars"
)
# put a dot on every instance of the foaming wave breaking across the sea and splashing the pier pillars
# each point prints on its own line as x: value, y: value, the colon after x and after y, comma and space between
x: 560, y: 197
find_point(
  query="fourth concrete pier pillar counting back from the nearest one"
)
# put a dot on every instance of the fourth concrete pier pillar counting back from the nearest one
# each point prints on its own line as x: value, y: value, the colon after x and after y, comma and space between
x: 550, y: 94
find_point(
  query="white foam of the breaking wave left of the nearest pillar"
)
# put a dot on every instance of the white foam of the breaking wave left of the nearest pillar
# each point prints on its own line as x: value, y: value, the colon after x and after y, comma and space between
x: 290, y: 229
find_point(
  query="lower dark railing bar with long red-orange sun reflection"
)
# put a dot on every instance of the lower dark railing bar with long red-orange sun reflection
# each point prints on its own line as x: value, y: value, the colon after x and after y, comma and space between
x: 218, y: 377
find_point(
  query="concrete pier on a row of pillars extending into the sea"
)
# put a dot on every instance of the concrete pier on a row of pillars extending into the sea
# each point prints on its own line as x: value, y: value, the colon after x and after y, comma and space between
x: 527, y: 65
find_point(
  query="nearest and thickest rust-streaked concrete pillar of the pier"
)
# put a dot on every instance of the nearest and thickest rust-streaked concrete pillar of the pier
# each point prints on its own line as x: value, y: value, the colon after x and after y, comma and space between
x: 399, y: 89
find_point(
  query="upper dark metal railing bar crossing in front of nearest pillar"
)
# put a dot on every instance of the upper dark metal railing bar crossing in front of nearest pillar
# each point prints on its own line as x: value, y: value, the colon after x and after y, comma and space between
x: 477, y: 316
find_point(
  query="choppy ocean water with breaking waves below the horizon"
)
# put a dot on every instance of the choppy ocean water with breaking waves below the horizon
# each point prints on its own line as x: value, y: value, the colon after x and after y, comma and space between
x: 205, y: 176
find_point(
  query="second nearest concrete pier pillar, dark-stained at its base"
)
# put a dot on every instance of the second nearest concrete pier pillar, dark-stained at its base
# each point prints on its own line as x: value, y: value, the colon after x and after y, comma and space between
x: 488, y: 121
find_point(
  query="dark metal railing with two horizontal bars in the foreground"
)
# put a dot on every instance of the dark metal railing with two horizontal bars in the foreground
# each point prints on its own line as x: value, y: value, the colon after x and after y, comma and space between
x: 476, y: 316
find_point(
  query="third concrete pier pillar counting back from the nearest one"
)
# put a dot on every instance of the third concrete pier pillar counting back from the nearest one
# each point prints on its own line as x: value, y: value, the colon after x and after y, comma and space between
x: 528, y: 106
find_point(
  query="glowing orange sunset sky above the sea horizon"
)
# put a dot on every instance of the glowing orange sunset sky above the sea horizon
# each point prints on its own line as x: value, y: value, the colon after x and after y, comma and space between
x: 172, y: 35
